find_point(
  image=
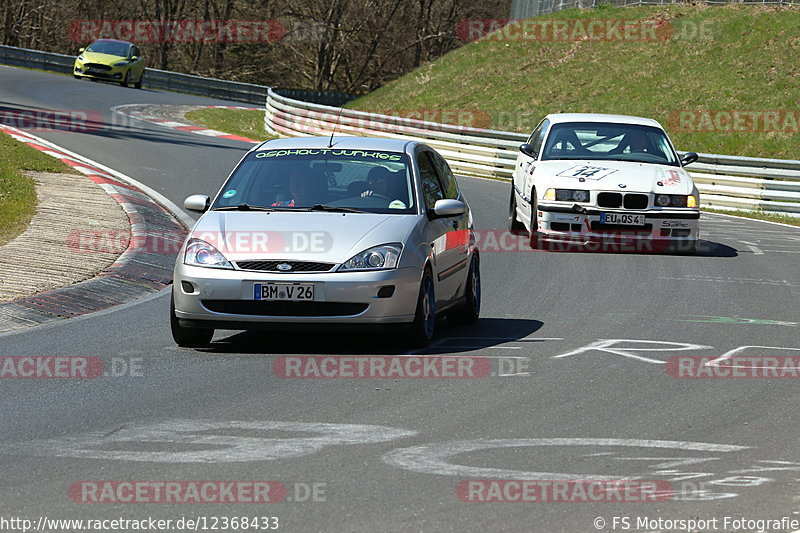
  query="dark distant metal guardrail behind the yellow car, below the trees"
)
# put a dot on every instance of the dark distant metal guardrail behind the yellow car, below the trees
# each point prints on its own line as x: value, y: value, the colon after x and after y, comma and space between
x: 171, y: 81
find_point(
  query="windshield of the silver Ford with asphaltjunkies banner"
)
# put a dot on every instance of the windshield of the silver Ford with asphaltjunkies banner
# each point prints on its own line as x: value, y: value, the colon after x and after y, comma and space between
x: 364, y: 180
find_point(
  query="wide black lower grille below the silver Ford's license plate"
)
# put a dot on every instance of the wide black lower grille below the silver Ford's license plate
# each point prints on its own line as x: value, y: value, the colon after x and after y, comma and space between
x: 261, y: 308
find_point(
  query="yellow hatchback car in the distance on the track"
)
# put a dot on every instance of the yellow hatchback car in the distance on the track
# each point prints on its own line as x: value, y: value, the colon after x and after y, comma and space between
x: 111, y: 60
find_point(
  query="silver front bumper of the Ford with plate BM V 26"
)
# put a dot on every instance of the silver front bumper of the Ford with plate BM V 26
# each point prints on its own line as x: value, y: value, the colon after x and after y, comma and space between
x: 224, y: 298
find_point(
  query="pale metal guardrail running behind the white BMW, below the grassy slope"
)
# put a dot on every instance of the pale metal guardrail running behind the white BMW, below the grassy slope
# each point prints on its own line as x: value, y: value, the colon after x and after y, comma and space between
x: 725, y: 182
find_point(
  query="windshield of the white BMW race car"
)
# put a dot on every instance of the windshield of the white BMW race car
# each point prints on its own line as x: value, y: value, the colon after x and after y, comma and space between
x: 609, y: 141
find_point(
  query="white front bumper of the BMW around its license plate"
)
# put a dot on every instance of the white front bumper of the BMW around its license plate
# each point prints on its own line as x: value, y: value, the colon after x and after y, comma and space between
x: 585, y: 222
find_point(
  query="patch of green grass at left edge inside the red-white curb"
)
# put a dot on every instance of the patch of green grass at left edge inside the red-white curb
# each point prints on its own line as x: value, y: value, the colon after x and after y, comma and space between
x: 17, y: 191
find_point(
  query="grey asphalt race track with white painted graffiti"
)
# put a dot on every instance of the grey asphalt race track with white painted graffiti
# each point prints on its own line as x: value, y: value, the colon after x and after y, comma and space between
x: 579, y: 389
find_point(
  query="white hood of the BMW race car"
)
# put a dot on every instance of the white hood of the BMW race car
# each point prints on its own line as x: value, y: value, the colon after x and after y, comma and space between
x: 612, y: 175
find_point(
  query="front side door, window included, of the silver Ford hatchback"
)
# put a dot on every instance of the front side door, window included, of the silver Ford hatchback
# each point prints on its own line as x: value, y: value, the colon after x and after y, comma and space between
x: 443, y: 232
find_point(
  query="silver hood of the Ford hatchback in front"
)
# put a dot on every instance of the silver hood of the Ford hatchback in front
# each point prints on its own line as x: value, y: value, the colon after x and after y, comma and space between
x: 300, y: 236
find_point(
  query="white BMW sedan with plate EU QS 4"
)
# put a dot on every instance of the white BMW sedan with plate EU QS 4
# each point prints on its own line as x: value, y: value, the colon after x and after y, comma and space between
x: 589, y: 177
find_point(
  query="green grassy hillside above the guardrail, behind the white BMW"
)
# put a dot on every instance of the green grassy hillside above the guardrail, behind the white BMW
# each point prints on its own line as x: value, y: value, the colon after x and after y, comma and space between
x: 721, y: 58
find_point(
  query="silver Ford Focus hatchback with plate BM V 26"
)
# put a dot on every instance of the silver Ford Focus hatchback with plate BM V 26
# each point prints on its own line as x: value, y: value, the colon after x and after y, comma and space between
x: 344, y: 230
